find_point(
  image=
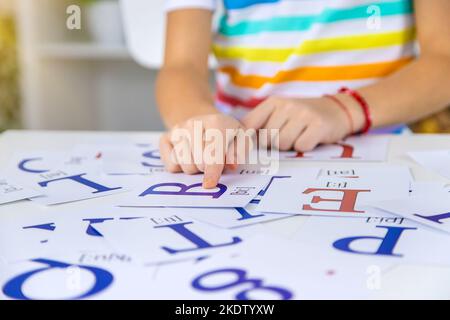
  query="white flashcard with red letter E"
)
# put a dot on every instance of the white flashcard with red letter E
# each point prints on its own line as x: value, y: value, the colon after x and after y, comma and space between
x: 333, y: 196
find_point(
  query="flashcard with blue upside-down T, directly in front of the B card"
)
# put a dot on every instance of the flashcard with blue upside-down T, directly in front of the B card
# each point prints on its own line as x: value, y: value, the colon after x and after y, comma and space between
x: 166, y: 237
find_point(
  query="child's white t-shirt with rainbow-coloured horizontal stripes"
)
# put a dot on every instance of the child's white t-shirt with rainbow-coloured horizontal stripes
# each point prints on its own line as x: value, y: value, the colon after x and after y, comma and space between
x: 304, y: 48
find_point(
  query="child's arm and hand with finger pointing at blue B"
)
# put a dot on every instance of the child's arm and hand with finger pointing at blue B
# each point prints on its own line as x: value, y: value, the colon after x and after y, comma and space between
x: 184, y: 96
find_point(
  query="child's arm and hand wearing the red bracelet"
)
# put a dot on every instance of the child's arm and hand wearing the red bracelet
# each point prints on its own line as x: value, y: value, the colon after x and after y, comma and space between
x: 418, y: 90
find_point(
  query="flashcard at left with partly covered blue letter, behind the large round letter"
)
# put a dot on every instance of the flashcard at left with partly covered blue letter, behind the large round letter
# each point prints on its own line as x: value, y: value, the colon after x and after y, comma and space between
x: 41, y: 233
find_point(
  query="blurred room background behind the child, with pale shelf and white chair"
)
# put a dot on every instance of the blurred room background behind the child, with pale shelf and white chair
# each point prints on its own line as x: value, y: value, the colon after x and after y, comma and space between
x: 71, y: 64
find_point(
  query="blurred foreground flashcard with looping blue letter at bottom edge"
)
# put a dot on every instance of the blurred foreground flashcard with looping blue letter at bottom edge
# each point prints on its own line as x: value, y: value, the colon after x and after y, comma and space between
x: 265, y: 268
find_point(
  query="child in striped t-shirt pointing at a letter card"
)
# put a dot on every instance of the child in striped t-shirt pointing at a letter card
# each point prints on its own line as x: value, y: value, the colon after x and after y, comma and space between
x: 316, y: 70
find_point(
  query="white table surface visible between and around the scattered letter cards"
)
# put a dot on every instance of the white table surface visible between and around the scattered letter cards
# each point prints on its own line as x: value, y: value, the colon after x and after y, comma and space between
x: 407, y: 281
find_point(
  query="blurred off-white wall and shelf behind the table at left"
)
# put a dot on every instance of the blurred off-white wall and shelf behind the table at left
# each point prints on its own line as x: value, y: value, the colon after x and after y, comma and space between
x: 70, y: 82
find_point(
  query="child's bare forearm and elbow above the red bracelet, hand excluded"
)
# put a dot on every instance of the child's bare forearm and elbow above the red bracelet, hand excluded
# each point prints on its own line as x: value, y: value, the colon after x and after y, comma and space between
x: 423, y: 87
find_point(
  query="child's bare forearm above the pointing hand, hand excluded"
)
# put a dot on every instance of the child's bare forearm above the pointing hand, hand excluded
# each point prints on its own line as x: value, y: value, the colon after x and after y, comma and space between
x: 182, y: 87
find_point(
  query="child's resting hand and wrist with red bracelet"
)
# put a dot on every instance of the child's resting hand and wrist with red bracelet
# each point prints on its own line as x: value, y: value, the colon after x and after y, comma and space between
x: 304, y: 123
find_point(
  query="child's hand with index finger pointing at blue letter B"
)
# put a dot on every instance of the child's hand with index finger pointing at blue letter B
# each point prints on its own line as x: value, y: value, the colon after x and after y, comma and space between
x: 197, y: 157
